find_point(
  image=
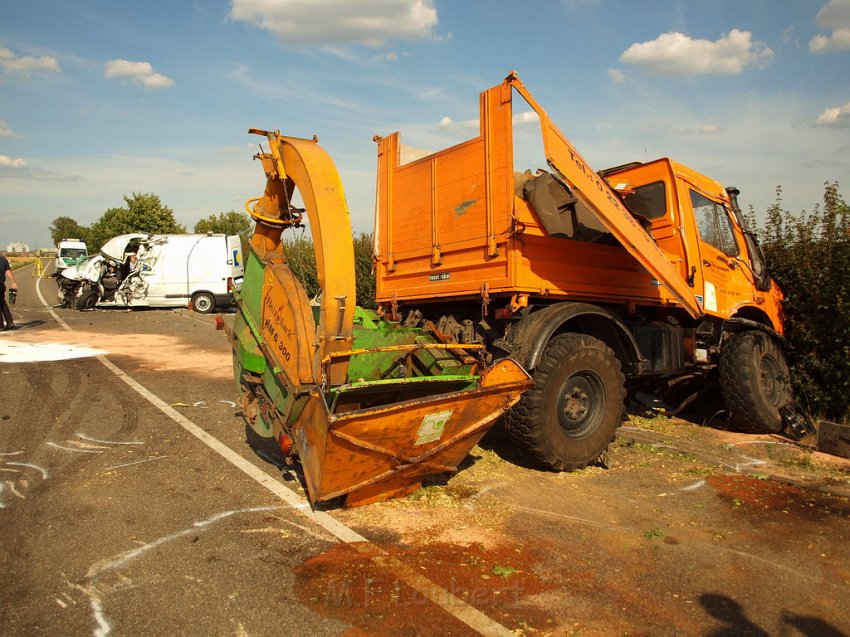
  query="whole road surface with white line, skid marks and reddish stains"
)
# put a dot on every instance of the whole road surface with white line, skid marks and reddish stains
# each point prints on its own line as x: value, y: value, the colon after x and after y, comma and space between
x: 130, y: 504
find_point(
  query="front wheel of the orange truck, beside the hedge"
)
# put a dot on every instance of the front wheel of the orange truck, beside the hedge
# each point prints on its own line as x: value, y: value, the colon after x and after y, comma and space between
x: 755, y: 381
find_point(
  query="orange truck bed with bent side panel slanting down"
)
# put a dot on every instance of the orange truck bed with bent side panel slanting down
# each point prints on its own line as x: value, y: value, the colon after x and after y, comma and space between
x: 453, y: 224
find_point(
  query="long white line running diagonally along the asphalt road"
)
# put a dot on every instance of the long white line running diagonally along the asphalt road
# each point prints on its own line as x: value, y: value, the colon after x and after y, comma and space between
x: 443, y: 598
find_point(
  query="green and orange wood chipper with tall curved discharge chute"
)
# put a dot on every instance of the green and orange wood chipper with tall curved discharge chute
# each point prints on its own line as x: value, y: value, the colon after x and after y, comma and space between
x: 370, y: 409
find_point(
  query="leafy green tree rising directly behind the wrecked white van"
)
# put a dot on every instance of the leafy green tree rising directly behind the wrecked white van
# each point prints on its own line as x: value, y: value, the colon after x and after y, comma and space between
x: 143, y: 213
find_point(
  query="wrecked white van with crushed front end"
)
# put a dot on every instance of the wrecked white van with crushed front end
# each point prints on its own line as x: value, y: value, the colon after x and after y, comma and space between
x: 166, y: 270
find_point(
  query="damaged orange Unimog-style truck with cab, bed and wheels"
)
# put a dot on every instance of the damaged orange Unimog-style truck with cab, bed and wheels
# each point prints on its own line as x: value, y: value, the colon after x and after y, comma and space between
x: 596, y: 283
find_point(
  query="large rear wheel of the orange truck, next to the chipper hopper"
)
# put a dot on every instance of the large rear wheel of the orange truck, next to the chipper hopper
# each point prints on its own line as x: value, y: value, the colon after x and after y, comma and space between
x: 570, y: 415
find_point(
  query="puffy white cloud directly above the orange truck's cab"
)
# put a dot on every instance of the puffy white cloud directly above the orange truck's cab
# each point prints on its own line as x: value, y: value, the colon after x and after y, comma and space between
x: 678, y: 54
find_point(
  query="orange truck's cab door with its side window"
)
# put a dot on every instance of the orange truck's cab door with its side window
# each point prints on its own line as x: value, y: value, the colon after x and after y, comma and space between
x: 725, y: 285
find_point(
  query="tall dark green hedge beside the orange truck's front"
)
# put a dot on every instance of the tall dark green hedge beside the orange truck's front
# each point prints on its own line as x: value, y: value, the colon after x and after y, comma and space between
x: 809, y: 257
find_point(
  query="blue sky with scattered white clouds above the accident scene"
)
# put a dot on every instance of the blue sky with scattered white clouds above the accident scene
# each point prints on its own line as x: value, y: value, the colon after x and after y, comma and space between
x: 102, y: 99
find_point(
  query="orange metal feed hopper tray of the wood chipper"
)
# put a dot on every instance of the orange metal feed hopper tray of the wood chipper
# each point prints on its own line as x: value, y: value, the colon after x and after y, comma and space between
x: 369, y: 455
